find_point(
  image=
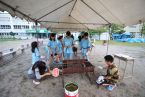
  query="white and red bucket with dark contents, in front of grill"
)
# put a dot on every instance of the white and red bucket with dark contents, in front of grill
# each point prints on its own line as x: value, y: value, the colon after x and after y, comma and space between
x: 71, y: 90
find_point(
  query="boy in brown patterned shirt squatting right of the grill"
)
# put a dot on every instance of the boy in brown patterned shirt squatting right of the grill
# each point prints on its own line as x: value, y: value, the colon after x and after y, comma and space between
x: 112, y: 76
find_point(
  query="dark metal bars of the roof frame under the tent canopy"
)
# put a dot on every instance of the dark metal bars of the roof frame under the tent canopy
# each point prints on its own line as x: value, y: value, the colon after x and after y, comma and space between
x: 39, y: 21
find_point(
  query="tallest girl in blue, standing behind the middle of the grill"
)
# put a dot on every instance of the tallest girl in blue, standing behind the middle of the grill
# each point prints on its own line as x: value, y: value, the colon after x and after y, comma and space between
x: 68, y: 43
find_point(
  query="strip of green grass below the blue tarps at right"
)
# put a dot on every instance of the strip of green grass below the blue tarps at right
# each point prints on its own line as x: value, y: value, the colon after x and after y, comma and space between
x: 122, y: 43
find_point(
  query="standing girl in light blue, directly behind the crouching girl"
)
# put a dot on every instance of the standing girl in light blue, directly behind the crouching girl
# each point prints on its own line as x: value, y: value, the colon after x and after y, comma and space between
x: 35, y: 52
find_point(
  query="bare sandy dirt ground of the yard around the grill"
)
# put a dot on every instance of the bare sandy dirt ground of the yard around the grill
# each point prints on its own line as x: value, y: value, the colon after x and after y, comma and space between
x: 14, y: 81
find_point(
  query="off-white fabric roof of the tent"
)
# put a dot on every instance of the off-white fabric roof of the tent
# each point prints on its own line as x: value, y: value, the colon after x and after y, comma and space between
x: 77, y: 14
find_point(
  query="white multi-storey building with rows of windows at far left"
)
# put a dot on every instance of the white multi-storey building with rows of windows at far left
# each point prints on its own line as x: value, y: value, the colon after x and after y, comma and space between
x: 16, y: 25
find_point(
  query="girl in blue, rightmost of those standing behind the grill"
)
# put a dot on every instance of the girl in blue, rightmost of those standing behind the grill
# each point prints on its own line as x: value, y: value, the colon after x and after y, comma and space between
x: 85, y: 45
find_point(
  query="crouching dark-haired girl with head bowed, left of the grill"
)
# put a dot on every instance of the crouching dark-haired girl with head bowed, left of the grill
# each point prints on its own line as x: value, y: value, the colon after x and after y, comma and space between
x: 38, y: 71
